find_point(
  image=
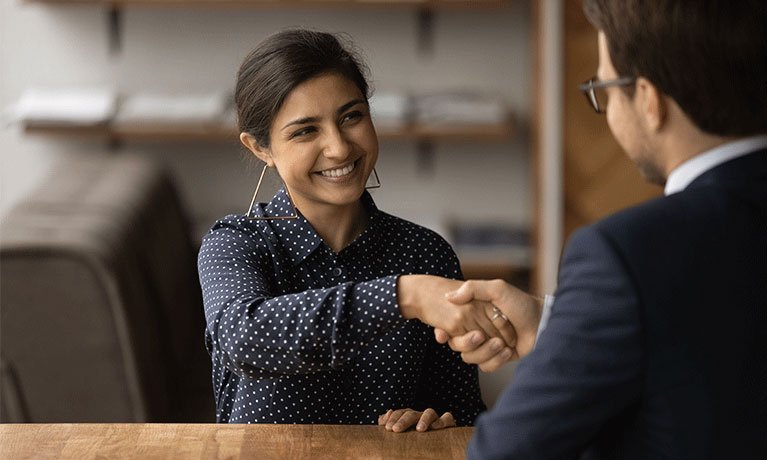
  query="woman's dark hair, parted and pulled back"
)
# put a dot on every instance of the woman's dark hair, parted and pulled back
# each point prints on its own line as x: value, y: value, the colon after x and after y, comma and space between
x: 282, y: 62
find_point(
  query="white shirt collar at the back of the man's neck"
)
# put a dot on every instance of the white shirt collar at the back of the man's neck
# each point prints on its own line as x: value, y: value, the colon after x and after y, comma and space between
x: 691, y: 169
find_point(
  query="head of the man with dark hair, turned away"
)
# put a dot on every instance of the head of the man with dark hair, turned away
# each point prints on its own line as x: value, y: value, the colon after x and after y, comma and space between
x: 700, y: 69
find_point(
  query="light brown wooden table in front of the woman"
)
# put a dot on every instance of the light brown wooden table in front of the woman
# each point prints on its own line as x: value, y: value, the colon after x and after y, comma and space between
x: 211, y: 441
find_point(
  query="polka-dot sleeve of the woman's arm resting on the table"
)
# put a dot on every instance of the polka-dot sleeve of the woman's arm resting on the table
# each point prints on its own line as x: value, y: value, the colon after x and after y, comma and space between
x: 447, y: 383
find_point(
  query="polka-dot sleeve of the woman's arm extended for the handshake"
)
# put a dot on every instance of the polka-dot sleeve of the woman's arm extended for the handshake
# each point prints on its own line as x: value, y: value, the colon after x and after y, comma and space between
x: 259, y: 334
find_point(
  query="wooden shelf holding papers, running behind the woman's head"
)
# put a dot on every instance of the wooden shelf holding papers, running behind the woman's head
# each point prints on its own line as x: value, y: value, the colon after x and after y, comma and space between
x: 219, y: 132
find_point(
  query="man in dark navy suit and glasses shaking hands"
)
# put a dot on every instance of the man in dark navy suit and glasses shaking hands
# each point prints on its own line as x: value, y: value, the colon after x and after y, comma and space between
x: 655, y: 344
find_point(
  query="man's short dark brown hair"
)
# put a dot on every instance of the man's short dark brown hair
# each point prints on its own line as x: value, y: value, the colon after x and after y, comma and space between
x: 708, y: 55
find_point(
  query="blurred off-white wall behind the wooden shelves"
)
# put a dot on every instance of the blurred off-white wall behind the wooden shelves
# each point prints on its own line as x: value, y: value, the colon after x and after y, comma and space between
x: 176, y: 49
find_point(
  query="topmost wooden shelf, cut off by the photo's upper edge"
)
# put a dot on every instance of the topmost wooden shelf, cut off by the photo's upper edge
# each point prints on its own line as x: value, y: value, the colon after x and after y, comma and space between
x: 429, y: 4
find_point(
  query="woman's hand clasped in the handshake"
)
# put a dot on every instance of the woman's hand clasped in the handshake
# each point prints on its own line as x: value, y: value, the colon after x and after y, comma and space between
x: 424, y: 297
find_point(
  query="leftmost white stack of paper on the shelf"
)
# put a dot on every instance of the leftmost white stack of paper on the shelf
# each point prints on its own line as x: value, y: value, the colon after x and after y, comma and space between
x: 71, y: 107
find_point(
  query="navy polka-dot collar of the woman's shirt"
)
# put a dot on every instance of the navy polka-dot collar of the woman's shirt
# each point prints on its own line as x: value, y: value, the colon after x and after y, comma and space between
x: 298, y: 236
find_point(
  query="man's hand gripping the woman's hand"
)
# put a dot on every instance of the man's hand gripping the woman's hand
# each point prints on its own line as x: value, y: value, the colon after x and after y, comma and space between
x: 522, y: 310
